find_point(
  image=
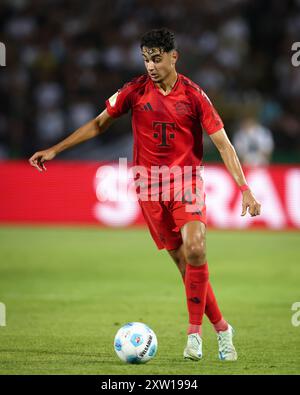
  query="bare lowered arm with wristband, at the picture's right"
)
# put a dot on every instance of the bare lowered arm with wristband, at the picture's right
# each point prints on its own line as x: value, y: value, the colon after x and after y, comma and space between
x: 232, y: 163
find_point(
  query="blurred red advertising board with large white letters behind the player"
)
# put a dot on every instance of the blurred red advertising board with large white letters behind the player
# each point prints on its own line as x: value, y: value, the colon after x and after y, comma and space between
x: 99, y: 193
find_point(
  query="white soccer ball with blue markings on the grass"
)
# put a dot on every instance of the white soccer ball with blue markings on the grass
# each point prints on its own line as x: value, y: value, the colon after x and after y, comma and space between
x: 135, y: 342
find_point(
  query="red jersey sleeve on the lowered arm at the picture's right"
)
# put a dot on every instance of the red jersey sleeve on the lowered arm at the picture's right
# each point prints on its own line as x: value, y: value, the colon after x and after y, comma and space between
x: 209, y: 118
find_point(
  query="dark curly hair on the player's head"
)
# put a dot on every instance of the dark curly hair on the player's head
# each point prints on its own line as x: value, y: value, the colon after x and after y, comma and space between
x: 159, y: 38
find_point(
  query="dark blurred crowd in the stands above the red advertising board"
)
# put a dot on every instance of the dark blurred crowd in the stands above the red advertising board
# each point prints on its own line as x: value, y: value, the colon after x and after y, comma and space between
x: 65, y: 58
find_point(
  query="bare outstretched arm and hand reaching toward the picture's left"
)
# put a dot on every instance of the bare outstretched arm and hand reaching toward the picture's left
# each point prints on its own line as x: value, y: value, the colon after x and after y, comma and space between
x: 91, y: 129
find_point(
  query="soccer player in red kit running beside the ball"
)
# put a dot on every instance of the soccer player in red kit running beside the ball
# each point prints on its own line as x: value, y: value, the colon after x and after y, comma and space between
x: 169, y: 114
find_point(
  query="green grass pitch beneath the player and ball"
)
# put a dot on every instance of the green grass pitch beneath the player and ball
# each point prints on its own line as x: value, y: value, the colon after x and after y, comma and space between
x: 68, y: 290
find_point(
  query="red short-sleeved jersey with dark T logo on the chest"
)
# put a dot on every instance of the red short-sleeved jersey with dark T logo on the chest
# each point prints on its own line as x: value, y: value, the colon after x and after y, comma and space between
x: 167, y: 129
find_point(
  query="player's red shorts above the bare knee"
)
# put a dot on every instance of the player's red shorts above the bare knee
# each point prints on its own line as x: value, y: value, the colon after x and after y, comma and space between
x: 166, y: 218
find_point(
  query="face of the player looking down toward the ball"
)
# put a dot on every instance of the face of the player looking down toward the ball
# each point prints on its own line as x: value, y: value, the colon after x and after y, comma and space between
x: 159, y: 64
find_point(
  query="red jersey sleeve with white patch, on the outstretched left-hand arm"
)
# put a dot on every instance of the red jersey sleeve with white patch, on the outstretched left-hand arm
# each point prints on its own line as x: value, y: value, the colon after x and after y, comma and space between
x: 120, y: 103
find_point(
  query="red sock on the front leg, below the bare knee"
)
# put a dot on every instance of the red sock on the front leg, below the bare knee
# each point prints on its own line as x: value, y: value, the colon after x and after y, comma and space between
x: 196, y: 281
